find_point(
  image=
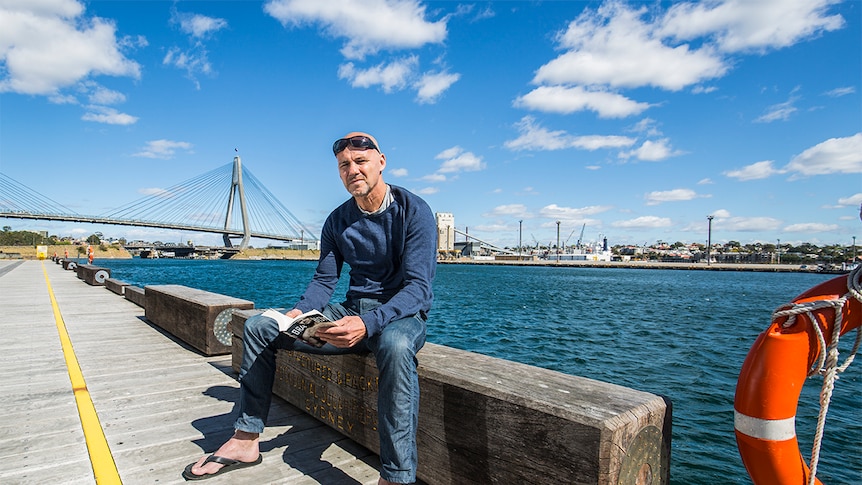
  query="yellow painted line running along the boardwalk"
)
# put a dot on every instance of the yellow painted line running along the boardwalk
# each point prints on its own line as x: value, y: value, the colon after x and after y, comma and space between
x: 104, y: 468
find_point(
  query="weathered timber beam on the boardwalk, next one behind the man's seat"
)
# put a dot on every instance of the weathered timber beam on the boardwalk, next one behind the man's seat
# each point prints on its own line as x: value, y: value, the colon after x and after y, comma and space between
x: 191, y: 314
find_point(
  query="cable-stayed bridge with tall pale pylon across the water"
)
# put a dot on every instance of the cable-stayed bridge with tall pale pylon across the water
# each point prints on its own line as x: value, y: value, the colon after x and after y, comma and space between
x: 228, y: 200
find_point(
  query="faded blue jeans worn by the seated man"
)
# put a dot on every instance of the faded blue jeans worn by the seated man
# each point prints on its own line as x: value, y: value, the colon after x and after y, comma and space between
x: 395, y: 351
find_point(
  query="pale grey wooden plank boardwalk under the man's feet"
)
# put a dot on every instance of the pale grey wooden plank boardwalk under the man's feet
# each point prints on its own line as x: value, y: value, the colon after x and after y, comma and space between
x: 160, y: 404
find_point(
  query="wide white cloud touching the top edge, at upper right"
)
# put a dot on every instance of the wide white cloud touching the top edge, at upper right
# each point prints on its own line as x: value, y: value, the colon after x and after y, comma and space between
x: 743, y: 25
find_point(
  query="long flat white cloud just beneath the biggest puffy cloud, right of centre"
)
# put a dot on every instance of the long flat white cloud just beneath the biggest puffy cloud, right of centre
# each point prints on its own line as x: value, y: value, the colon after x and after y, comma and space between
x: 567, y: 100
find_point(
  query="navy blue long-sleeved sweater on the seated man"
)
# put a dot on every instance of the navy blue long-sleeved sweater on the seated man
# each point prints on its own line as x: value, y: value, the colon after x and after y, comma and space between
x: 392, y: 258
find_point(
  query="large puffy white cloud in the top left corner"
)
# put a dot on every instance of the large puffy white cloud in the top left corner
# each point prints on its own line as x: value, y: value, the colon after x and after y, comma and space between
x: 48, y: 46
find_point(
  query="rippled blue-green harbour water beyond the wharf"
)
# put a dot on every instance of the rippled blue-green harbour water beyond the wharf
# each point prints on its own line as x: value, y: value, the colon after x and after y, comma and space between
x: 681, y: 334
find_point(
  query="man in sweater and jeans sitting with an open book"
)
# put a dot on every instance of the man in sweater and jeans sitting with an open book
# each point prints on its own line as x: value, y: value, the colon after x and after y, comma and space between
x: 387, y: 236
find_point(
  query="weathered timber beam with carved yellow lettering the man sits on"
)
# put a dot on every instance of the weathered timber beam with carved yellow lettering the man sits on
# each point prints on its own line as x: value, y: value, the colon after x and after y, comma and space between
x: 487, y: 420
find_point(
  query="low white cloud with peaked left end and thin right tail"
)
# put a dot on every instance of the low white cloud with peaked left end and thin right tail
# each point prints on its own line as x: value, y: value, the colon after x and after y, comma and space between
x: 535, y: 137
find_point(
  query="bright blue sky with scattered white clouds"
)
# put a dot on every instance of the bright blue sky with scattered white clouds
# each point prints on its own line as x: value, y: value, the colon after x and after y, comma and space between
x: 631, y: 121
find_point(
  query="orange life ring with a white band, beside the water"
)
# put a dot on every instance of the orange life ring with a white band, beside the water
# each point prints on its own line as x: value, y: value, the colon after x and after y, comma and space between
x: 771, y: 380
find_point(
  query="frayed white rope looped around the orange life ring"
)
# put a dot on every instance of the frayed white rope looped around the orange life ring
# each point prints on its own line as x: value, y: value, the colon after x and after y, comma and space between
x: 827, y: 362
